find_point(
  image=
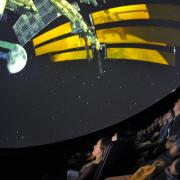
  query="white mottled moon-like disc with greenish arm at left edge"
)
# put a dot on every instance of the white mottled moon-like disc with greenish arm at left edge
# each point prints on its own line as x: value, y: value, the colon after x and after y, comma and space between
x: 16, y: 56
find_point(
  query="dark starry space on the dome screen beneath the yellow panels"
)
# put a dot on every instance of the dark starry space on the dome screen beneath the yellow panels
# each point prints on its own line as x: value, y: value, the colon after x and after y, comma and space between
x: 51, y: 102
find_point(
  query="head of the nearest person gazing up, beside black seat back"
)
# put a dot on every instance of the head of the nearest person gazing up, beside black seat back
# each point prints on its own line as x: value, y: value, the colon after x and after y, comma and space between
x: 100, y: 147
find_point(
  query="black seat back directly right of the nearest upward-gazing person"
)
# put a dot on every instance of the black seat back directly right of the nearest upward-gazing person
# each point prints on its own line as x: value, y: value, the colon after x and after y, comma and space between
x: 118, y: 160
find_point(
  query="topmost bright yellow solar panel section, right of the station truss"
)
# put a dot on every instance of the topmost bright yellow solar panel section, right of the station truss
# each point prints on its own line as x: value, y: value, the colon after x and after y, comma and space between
x: 121, y: 13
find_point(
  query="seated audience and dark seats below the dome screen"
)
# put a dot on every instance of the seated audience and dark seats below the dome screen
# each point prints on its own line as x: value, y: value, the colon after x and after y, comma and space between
x: 152, y: 153
